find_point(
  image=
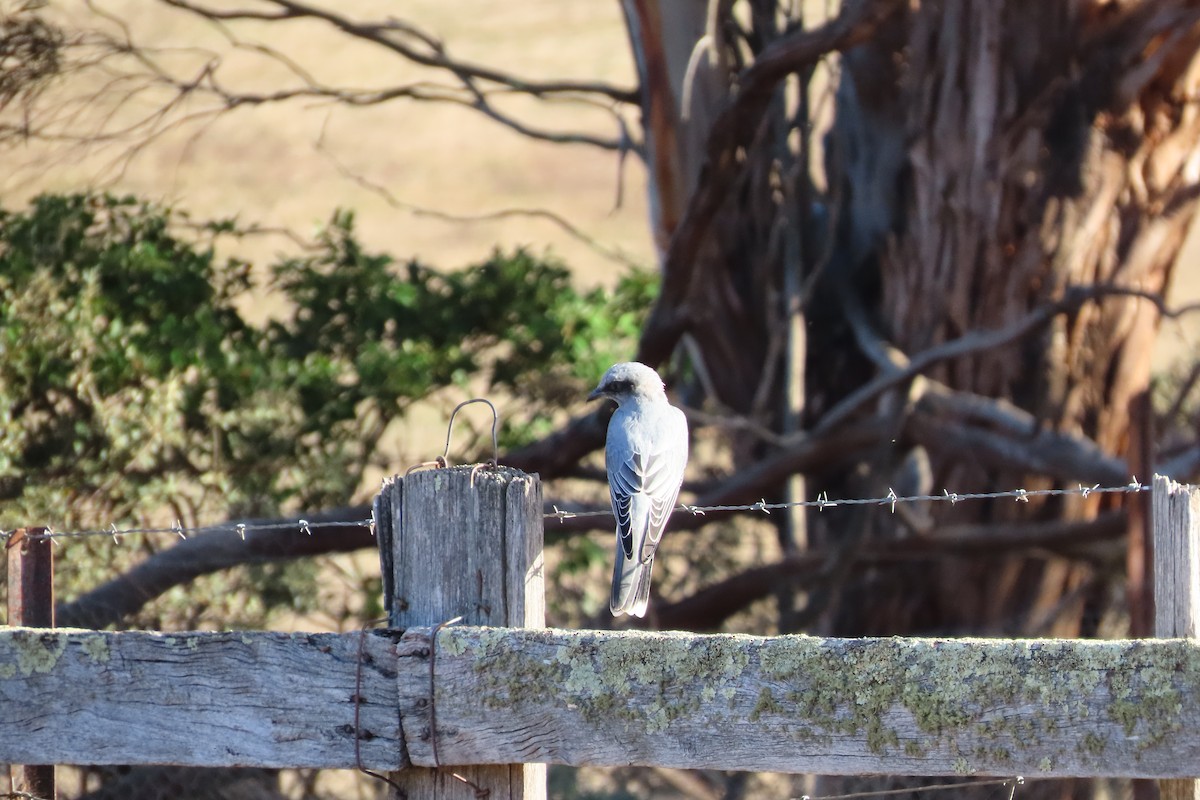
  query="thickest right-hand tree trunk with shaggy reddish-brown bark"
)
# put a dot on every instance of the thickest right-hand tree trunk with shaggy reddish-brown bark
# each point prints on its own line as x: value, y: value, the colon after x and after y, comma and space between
x: 1017, y: 151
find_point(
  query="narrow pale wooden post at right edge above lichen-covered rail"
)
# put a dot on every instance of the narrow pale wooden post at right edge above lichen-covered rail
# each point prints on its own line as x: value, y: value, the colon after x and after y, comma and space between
x: 1177, y: 544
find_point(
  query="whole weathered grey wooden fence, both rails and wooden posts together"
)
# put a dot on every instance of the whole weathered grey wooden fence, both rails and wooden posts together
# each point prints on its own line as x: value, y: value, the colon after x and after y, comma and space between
x: 424, y: 696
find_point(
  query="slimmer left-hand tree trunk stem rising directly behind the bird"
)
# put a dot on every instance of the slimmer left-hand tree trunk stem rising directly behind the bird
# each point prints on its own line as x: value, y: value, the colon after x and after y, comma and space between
x: 730, y: 285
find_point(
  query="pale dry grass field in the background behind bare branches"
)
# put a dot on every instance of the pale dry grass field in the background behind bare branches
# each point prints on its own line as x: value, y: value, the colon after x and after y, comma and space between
x: 291, y: 165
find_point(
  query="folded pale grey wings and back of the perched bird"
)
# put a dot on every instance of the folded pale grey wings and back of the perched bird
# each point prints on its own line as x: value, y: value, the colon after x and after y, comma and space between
x: 644, y: 484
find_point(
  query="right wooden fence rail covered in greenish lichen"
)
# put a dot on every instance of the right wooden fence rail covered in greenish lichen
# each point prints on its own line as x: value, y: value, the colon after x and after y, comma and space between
x: 802, y: 705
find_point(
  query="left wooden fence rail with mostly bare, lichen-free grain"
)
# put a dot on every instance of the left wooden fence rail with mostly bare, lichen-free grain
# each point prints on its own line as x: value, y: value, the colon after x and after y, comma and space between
x: 196, y: 700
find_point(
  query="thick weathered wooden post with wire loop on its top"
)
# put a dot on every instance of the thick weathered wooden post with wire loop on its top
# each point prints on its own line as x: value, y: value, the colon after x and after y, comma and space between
x: 463, y: 543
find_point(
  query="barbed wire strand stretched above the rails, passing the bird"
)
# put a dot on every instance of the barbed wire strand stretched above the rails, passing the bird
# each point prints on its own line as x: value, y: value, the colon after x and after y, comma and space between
x: 821, y: 503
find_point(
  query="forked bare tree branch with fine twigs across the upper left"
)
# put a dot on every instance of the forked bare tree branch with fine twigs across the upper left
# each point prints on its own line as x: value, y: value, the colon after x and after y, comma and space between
x: 136, y: 75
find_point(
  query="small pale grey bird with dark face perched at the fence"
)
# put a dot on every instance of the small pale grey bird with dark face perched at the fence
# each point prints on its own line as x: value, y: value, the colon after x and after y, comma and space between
x: 646, y: 455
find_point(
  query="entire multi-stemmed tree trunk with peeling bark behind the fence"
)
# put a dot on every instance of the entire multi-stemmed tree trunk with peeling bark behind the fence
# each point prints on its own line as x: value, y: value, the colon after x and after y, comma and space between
x: 988, y: 158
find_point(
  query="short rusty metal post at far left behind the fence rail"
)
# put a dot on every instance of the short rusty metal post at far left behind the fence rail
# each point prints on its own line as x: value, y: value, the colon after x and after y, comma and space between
x: 32, y: 605
